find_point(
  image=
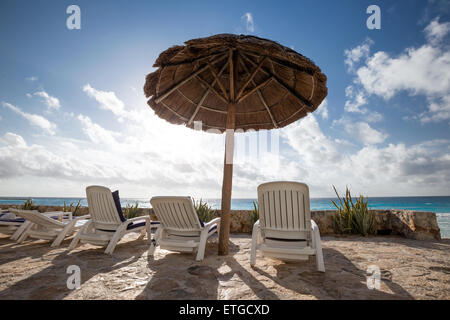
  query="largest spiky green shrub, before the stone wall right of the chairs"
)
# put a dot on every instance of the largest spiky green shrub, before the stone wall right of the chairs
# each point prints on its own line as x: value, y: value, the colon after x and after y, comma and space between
x: 353, y: 217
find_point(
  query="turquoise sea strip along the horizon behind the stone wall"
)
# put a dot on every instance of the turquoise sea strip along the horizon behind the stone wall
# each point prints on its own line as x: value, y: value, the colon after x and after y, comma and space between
x: 439, y: 205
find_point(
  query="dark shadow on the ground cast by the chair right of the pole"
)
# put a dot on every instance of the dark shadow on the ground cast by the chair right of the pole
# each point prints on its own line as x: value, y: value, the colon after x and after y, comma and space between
x: 342, y: 279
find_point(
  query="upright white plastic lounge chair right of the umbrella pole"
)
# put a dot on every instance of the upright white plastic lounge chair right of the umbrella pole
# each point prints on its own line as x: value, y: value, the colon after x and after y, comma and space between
x: 285, y: 229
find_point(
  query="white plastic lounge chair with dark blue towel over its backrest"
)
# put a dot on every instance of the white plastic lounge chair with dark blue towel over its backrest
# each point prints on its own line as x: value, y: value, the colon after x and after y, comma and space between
x: 108, y: 225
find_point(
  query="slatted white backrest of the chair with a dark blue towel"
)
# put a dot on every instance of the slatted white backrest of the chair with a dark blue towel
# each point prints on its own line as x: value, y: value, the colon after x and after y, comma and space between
x: 102, y: 208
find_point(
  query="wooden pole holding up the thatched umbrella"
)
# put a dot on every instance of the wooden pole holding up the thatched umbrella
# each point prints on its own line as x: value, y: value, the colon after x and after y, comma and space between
x: 224, y: 234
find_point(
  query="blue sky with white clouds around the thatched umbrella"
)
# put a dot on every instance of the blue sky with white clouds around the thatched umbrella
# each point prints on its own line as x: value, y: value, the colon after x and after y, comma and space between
x: 73, y: 112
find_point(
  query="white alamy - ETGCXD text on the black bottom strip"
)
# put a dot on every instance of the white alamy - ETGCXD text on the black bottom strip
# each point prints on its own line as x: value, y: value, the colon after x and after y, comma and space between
x: 228, y: 309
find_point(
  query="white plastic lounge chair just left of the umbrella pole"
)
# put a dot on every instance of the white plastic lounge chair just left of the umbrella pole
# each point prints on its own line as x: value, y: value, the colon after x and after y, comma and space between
x: 180, y: 228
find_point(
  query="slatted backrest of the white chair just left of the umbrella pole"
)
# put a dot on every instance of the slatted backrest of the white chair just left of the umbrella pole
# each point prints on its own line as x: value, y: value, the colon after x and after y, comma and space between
x: 176, y: 213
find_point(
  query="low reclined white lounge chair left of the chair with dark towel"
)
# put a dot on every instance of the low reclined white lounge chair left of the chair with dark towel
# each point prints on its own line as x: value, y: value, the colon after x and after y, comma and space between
x: 43, y: 226
